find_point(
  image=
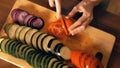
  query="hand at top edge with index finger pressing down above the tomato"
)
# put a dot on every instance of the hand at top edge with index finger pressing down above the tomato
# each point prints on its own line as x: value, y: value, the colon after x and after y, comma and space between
x: 57, y: 4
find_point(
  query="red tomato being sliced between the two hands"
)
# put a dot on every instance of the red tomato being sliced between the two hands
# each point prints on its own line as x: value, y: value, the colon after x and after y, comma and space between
x: 56, y: 28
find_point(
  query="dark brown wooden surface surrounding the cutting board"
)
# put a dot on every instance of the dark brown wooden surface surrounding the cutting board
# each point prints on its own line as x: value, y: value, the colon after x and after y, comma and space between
x: 102, y: 20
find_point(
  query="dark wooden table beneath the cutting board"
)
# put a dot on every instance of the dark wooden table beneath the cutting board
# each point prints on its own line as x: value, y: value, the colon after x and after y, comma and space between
x: 105, y: 21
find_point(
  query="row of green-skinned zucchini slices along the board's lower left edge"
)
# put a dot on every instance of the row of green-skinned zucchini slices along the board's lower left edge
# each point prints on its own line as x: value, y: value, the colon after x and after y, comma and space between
x: 37, y: 59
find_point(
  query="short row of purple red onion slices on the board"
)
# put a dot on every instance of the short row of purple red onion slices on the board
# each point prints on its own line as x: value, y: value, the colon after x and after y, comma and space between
x: 22, y: 17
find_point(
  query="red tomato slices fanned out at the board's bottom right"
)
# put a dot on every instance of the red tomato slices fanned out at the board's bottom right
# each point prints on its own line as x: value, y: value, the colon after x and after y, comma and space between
x: 83, y: 59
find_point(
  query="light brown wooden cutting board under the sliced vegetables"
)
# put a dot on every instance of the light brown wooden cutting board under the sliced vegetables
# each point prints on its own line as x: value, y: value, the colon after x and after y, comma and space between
x: 91, y: 40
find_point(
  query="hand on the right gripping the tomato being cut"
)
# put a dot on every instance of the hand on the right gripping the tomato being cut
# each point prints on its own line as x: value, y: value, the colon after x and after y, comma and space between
x: 87, y: 9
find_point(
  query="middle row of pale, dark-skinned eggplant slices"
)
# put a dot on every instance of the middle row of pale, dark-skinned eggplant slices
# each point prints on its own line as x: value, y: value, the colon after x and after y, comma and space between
x: 38, y: 40
